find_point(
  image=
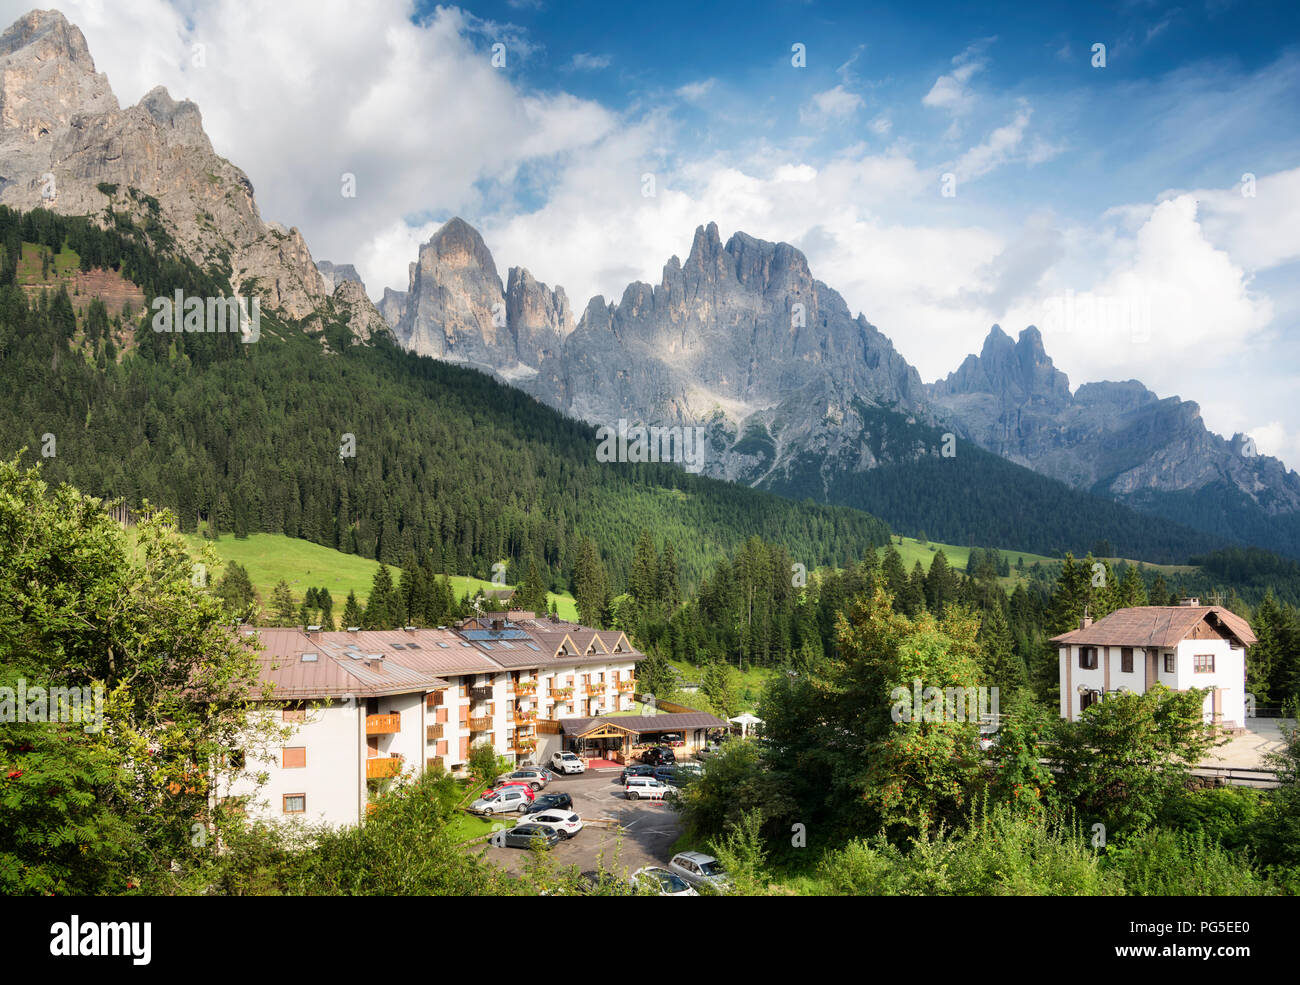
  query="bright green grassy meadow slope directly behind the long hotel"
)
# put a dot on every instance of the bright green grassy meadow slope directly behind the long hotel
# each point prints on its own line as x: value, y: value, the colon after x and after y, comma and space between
x: 305, y: 565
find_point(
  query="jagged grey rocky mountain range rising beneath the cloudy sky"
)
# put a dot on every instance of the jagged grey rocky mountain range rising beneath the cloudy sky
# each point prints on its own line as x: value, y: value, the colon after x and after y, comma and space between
x: 798, y: 394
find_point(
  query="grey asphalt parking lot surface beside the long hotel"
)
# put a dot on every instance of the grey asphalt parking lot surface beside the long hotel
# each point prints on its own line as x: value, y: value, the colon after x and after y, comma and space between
x: 645, y: 828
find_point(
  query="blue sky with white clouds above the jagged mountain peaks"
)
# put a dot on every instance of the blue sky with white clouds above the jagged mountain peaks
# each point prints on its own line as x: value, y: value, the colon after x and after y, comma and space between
x: 1123, y: 188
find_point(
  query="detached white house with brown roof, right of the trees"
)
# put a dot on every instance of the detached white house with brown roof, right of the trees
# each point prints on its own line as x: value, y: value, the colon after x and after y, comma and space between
x: 1181, y: 646
